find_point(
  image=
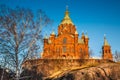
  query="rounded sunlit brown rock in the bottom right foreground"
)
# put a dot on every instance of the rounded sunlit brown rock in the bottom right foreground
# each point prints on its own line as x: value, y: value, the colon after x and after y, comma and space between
x: 106, y: 71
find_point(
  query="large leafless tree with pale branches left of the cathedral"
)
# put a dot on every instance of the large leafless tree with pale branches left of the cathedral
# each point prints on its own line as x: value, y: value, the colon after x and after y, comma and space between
x: 20, y: 33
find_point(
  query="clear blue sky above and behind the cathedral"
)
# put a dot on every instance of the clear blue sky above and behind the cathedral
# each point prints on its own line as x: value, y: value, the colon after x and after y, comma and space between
x: 97, y: 17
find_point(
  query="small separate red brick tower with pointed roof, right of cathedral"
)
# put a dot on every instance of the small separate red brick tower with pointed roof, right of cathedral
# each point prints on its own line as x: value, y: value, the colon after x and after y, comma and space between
x: 106, y: 50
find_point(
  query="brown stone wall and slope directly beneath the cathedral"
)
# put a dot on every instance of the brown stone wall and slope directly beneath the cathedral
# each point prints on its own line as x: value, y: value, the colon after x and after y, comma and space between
x: 48, y: 67
